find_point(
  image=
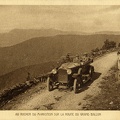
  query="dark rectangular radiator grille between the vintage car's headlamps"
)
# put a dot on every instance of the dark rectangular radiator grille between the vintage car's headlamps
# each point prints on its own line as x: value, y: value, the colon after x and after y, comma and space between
x: 62, y: 76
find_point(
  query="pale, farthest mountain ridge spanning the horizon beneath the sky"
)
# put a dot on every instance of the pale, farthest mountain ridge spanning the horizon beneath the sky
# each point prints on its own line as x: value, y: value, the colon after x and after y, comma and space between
x: 17, y: 36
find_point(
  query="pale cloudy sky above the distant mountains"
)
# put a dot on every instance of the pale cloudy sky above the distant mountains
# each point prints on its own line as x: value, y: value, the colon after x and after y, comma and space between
x: 83, y: 18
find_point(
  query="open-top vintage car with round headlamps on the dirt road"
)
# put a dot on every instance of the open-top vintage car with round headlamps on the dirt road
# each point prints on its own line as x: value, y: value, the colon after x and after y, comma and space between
x: 70, y: 74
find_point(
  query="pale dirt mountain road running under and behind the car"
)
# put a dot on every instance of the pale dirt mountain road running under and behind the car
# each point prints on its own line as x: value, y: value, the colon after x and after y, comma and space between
x: 66, y: 100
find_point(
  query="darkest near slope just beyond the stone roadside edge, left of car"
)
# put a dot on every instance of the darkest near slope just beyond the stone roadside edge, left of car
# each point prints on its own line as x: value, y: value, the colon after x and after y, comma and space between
x: 19, y: 75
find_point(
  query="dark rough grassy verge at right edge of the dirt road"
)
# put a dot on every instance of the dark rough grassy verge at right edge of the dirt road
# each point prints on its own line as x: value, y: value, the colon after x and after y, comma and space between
x: 109, y: 97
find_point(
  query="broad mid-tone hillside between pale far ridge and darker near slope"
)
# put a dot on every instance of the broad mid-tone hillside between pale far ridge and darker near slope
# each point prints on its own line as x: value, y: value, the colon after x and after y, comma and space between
x: 45, y: 49
